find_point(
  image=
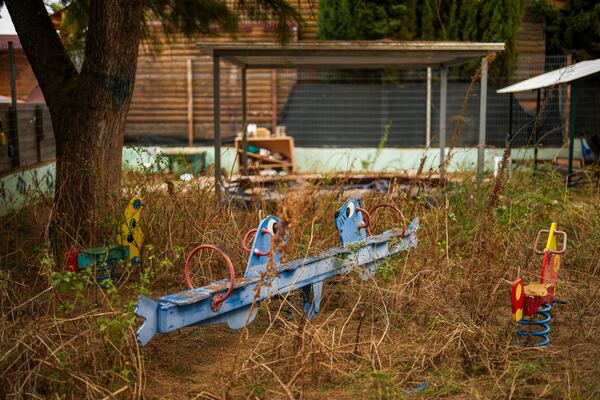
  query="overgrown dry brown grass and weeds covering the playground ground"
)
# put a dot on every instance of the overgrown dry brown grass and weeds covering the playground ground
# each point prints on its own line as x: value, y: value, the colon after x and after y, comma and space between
x: 440, y: 313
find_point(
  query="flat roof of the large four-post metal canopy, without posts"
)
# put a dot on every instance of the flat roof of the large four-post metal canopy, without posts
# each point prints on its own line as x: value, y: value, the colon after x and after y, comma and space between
x: 344, y: 54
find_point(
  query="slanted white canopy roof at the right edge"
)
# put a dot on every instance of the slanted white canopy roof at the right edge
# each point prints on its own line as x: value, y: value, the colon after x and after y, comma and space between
x: 561, y: 75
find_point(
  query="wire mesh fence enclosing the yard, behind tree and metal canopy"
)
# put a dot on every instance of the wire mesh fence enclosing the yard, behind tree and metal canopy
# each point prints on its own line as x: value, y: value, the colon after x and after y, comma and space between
x: 331, y: 108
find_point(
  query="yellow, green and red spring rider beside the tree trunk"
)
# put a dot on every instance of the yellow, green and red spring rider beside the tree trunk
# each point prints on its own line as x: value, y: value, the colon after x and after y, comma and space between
x: 105, y: 259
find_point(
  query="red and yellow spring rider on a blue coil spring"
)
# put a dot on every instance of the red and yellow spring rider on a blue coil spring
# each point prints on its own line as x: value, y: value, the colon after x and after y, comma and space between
x: 537, y: 298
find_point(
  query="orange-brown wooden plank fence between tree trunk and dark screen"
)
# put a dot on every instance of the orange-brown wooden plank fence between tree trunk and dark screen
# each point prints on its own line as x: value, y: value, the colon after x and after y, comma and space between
x: 173, y: 91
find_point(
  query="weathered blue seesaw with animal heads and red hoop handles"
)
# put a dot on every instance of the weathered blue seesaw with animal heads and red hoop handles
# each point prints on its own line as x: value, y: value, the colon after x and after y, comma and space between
x: 234, y: 300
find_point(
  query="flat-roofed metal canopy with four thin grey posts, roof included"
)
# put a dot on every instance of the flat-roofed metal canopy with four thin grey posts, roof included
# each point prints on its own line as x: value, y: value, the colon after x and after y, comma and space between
x: 344, y: 54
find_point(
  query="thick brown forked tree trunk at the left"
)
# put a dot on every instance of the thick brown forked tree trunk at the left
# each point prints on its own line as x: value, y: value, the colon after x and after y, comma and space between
x: 88, y: 111
